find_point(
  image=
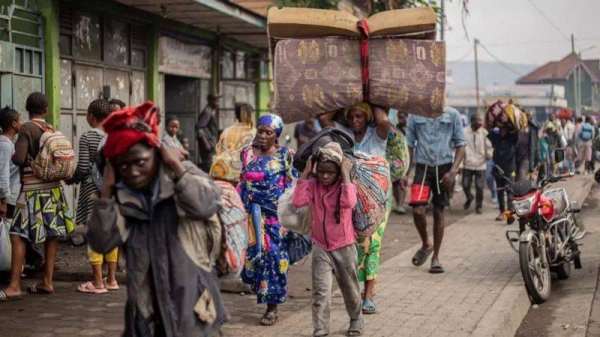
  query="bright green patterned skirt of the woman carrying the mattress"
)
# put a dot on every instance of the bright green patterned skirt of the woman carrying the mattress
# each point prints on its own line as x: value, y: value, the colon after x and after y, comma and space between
x: 369, y: 248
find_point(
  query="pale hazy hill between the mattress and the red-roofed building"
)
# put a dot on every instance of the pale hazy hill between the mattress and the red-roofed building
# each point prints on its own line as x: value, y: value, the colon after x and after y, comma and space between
x: 490, y: 73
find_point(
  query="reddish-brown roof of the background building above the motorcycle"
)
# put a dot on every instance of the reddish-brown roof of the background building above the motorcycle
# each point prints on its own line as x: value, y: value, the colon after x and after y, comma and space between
x: 561, y: 70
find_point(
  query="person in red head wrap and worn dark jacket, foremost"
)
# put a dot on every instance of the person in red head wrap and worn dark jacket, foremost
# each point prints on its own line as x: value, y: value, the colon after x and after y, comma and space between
x: 163, y: 209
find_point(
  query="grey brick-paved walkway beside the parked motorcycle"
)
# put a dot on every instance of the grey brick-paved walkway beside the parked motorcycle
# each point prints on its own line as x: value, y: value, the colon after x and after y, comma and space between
x: 481, y: 293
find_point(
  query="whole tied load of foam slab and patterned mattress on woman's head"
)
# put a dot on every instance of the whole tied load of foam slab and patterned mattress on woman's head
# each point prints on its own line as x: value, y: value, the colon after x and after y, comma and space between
x: 327, y: 60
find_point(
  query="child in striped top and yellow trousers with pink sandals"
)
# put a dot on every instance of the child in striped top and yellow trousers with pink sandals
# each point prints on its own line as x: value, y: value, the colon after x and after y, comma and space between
x: 98, y: 110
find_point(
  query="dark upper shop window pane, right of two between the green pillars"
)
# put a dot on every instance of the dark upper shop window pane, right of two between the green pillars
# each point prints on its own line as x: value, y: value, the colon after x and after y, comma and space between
x: 117, y: 42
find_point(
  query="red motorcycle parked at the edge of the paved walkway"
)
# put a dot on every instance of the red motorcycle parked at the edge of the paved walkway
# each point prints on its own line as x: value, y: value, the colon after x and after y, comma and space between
x: 549, y: 227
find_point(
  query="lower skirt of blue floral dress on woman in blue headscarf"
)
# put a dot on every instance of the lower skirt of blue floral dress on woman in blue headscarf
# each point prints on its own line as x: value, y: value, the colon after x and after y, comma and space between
x: 266, y: 268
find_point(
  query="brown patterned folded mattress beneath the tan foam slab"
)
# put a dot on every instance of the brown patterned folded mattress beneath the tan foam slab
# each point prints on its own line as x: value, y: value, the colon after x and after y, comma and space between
x: 317, y: 75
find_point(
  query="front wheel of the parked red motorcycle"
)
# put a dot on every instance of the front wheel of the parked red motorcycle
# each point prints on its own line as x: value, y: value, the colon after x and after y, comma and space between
x: 537, y: 278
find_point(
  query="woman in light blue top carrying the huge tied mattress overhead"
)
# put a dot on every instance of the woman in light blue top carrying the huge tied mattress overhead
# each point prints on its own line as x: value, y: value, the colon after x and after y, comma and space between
x: 371, y: 140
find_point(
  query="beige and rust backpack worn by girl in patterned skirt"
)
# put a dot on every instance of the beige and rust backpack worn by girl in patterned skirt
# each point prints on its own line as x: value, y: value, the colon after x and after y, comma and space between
x: 56, y: 159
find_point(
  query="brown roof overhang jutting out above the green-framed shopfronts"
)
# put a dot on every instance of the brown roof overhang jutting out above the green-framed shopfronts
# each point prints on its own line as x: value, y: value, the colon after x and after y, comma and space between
x: 226, y: 17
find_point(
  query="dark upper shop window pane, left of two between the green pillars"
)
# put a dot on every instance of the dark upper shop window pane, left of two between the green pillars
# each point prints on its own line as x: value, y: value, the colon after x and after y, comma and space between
x: 87, y: 36
